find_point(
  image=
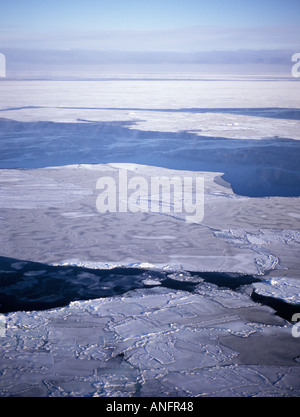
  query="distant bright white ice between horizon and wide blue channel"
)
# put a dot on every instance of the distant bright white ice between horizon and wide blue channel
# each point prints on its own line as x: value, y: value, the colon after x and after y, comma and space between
x: 108, y: 100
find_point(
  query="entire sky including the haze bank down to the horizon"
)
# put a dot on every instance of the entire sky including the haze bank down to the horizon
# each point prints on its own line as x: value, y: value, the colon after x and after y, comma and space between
x: 67, y: 35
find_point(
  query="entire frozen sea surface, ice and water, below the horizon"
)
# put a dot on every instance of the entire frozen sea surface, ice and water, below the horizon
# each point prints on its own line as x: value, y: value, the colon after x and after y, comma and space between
x: 144, y: 303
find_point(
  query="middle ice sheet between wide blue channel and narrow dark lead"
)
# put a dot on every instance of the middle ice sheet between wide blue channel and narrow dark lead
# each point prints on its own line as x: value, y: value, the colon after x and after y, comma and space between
x: 50, y: 215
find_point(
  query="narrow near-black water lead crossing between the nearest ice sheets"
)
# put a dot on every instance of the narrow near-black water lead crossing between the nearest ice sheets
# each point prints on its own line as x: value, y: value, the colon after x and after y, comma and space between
x: 28, y: 286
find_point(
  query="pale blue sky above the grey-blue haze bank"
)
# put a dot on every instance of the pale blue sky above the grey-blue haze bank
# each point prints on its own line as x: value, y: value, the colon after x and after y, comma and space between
x: 144, y: 26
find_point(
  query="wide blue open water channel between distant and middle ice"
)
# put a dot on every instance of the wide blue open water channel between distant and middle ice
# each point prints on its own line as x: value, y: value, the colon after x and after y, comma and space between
x: 268, y: 167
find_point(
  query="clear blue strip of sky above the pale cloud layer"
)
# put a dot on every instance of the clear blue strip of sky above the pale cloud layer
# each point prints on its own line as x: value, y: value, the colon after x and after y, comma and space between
x: 145, y: 14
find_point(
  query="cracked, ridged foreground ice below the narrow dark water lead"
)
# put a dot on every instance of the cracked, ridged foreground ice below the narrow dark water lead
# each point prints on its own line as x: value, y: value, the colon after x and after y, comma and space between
x: 150, y: 343
